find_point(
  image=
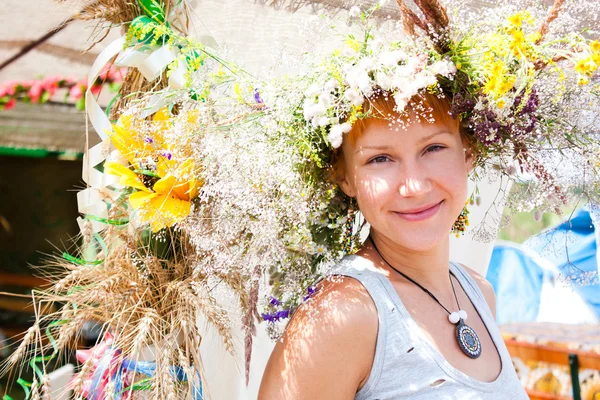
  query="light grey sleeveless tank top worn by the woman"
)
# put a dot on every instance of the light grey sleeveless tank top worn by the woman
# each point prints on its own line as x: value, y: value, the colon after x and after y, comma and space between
x: 406, y: 364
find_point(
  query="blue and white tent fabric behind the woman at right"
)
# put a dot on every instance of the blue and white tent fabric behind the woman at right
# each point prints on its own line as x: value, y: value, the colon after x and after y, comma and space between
x: 527, y: 278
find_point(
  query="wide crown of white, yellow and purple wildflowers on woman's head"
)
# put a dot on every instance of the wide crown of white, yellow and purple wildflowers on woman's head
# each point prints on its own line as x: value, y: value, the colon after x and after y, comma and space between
x: 513, y: 93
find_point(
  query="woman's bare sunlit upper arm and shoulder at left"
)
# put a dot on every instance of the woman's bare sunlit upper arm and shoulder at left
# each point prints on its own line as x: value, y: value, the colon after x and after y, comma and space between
x: 328, y: 347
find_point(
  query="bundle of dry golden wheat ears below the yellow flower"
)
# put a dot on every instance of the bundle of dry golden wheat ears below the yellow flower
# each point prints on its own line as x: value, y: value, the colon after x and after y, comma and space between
x: 144, y: 295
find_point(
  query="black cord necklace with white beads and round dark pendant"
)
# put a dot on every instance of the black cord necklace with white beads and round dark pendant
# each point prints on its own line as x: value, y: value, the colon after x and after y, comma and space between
x: 467, y: 339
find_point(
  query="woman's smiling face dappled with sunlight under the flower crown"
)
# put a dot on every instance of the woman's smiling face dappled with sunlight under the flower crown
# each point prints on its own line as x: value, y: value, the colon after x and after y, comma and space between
x: 410, y: 184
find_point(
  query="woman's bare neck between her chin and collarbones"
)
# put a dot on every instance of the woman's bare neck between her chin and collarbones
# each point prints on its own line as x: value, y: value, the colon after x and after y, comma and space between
x: 429, y: 268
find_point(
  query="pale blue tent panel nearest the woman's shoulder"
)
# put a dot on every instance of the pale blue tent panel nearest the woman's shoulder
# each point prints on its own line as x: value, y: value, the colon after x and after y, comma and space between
x: 517, y: 279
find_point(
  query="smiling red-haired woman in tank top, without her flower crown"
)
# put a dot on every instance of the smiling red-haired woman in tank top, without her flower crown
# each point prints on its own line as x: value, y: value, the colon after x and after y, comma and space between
x: 389, y: 318
